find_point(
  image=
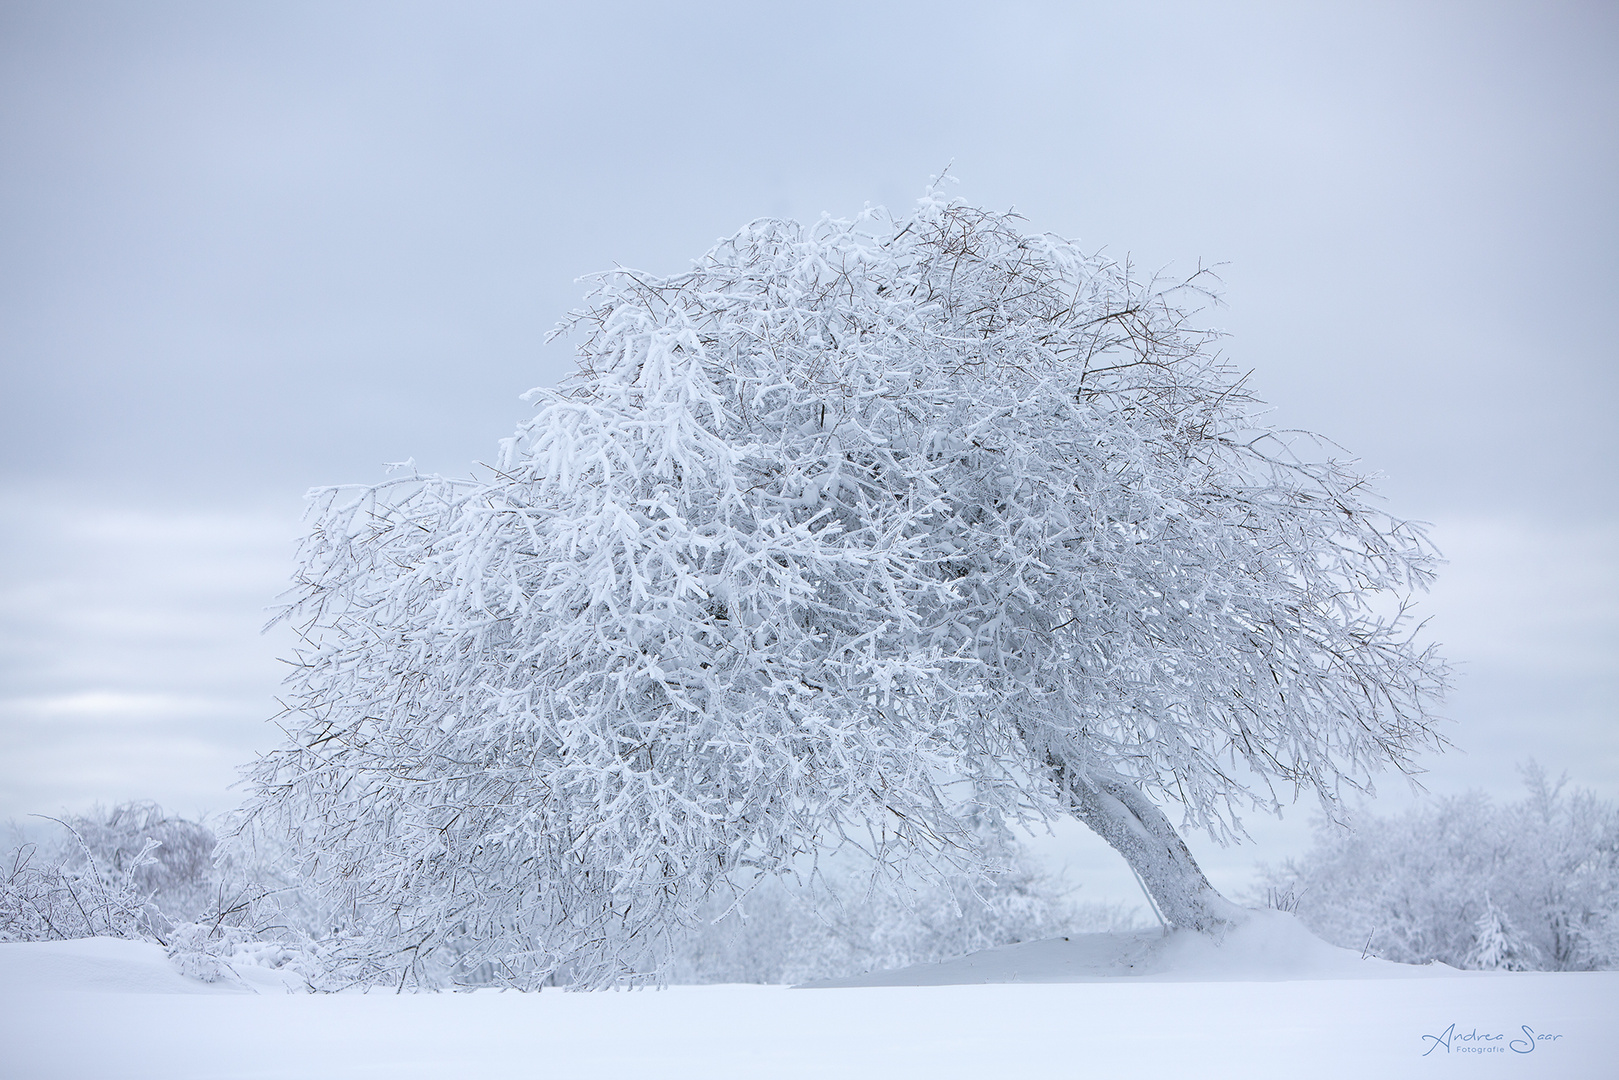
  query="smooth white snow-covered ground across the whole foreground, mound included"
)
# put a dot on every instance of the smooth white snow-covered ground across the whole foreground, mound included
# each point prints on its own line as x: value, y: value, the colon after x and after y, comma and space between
x: 1268, y: 1003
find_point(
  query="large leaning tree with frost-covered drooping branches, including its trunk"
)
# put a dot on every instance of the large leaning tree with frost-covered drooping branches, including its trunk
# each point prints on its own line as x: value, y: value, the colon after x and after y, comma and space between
x: 851, y: 532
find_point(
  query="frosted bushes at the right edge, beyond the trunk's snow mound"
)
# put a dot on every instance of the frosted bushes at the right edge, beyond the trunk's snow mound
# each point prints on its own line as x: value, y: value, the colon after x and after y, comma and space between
x: 1531, y: 885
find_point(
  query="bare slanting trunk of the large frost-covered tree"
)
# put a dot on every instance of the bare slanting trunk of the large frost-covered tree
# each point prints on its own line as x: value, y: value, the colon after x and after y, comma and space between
x: 1123, y: 815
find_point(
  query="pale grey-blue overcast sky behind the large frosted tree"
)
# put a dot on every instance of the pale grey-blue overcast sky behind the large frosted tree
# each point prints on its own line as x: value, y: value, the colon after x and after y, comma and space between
x: 247, y: 250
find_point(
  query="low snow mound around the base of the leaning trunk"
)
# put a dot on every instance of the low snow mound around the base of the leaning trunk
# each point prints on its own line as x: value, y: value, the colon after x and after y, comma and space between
x: 1270, y: 946
